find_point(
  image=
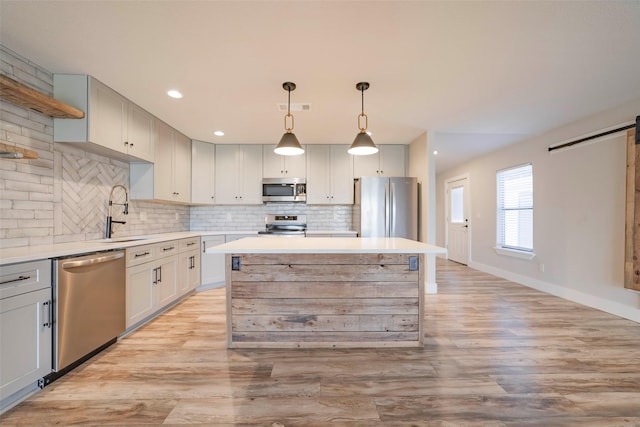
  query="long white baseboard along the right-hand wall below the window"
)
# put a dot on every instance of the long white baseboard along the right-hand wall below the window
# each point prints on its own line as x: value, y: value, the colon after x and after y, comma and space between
x: 574, y: 295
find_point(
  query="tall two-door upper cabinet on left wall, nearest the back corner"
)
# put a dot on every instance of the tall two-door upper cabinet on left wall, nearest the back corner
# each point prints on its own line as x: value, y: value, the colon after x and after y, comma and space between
x: 169, y: 177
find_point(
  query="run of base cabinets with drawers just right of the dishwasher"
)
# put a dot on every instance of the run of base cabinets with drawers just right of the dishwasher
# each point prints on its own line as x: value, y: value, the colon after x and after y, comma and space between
x: 158, y: 274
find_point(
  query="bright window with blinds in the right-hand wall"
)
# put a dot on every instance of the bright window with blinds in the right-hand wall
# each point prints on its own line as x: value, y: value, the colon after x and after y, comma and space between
x: 515, y: 208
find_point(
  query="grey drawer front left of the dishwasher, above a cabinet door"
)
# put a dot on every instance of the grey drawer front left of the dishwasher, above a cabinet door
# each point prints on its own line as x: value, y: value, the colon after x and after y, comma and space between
x: 25, y: 277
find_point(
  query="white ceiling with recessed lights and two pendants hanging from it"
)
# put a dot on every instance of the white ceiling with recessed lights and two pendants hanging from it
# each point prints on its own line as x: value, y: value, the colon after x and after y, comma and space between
x: 477, y: 74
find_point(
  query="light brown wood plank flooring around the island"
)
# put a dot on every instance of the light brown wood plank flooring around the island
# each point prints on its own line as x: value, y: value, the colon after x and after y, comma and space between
x: 496, y: 354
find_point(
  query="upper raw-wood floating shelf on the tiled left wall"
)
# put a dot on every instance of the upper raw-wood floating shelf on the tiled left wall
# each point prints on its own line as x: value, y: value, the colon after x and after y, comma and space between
x: 19, y: 94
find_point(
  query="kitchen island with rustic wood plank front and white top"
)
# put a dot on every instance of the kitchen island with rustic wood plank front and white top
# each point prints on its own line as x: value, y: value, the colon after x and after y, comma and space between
x: 289, y: 292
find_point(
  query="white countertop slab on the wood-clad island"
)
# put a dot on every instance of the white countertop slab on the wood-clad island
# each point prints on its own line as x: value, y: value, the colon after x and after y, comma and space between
x: 334, y: 245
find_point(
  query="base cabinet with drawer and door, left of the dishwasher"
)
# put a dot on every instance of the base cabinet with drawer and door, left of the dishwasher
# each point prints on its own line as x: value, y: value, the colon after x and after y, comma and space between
x: 25, y: 326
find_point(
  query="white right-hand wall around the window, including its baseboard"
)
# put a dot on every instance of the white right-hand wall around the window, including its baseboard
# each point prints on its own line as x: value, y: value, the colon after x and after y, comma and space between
x: 579, y: 221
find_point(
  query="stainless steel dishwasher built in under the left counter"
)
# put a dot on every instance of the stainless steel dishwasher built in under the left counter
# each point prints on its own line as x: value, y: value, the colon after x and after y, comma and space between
x: 89, y: 306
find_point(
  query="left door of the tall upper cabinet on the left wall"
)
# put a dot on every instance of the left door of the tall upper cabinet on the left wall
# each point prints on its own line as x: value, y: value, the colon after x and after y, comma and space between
x: 163, y: 164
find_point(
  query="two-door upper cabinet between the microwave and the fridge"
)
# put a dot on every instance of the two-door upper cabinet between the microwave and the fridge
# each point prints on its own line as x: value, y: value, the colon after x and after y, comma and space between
x: 329, y: 175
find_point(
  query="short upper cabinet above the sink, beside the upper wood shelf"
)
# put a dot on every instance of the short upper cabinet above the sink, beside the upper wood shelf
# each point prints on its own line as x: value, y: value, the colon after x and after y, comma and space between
x: 112, y: 126
